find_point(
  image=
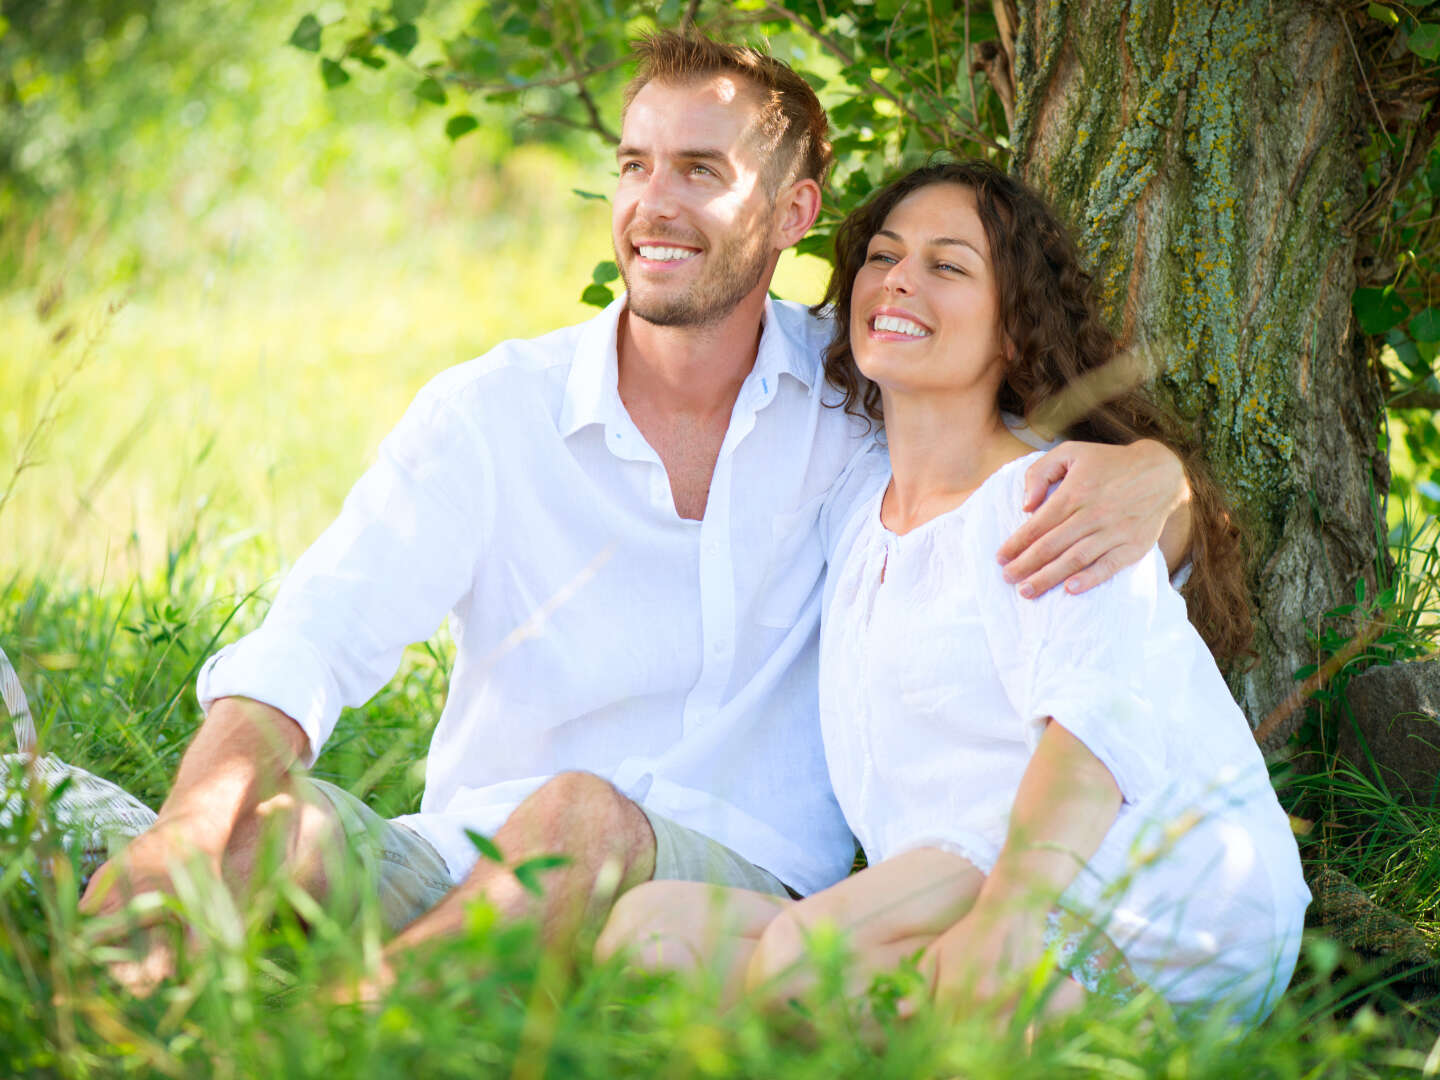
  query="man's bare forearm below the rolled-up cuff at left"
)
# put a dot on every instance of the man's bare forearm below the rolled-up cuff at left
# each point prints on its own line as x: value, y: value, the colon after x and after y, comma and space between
x: 241, y: 757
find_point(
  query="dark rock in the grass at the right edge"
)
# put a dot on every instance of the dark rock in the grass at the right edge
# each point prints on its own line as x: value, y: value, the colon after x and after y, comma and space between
x: 1398, y: 711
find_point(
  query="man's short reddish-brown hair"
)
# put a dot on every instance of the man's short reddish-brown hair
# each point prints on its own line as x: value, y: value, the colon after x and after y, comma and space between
x: 793, y: 123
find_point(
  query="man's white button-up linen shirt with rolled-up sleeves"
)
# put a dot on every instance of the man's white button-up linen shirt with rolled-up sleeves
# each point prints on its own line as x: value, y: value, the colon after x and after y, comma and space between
x: 594, y: 627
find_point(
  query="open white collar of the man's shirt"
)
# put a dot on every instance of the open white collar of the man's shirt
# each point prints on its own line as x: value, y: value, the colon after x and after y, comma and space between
x: 593, y: 391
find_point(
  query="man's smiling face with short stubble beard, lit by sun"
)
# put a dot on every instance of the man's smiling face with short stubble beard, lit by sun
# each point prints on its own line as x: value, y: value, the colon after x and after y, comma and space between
x: 692, y: 218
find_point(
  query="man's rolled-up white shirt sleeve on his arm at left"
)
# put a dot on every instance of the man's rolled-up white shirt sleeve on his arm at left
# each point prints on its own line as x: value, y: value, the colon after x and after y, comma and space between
x: 382, y: 577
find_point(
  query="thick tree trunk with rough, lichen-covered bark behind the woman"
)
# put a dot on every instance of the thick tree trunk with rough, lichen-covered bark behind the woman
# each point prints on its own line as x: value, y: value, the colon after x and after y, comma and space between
x: 1206, y: 155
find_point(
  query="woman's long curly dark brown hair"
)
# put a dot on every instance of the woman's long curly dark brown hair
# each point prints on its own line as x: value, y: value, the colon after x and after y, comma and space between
x: 1050, y: 318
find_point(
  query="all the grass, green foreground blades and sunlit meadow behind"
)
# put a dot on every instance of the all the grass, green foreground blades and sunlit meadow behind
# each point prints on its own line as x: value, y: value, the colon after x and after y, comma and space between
x: 189, y: 440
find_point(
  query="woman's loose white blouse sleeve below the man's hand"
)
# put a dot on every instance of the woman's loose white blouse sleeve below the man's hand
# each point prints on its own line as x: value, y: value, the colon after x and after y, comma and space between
x: 1078, y: 660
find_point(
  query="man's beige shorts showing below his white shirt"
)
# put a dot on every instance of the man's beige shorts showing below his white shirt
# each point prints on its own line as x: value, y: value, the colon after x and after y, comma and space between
x: 413, y: 878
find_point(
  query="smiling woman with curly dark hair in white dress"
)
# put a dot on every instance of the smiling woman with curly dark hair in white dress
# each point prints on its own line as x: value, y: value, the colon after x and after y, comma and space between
x: 1063, y: 773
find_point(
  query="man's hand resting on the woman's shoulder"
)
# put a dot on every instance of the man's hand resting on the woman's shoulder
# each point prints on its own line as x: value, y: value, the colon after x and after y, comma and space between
x: 1111, y: 508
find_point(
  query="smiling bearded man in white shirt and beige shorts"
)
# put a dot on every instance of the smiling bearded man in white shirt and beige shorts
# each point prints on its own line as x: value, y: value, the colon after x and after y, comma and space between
x: 624, y: 521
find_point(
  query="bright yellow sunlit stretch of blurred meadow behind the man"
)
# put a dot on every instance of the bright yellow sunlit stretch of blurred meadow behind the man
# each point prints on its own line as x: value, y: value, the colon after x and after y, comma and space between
x: 263, y: 392
